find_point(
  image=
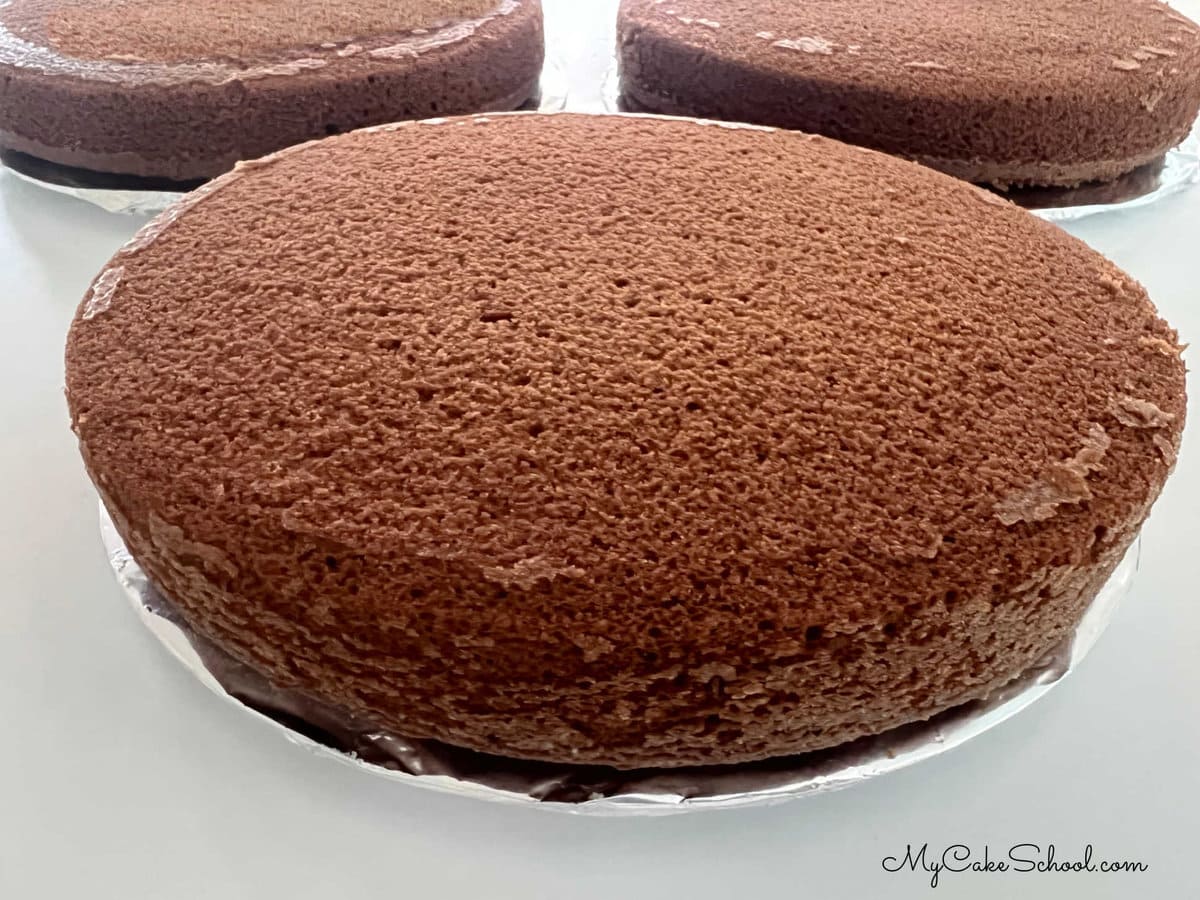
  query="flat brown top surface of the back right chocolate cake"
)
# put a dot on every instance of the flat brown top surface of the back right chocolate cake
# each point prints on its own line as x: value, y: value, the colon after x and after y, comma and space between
x: 944, y: 47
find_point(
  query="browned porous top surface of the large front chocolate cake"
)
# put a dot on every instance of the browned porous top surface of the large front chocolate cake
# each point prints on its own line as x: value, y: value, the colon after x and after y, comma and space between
x: 643, y: 356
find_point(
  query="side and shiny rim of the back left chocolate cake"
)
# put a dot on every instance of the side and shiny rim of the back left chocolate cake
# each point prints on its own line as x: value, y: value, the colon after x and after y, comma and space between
x: 197, y: 127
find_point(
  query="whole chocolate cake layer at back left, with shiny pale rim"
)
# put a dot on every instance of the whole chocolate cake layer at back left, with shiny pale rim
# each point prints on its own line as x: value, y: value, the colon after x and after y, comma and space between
x: 187, y: 91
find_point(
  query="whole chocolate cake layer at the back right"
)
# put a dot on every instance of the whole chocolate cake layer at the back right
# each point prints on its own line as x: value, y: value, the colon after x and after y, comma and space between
x: 1024, y: 93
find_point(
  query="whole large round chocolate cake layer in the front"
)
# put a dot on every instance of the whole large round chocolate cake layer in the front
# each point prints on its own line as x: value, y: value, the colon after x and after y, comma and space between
x: 620, y: 440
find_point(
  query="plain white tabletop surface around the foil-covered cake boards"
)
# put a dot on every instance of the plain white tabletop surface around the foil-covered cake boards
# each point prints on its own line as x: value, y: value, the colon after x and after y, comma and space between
x: 121, y: 777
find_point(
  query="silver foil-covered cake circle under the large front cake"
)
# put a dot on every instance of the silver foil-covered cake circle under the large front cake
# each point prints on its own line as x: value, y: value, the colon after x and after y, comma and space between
x: 597, y: 790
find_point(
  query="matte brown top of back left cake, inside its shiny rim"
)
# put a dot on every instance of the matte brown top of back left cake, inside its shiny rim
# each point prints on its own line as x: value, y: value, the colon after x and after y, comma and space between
x: 173, y: 31
